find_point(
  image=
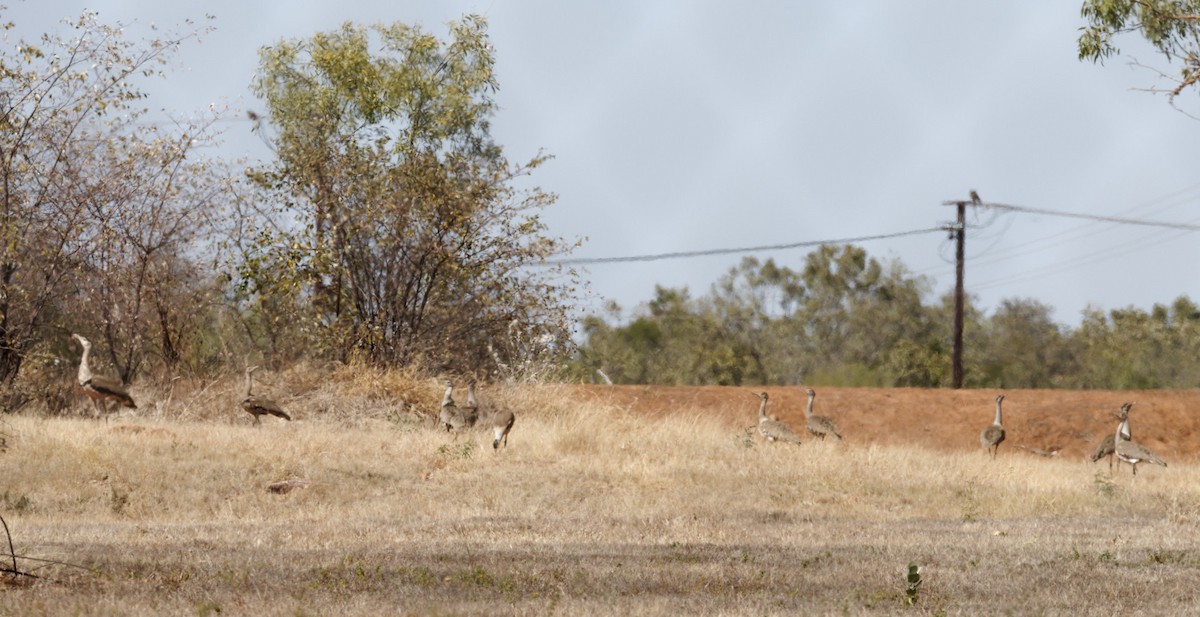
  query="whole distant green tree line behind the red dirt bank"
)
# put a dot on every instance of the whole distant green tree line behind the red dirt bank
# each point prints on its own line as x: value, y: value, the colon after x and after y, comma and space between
x: 844, y: 319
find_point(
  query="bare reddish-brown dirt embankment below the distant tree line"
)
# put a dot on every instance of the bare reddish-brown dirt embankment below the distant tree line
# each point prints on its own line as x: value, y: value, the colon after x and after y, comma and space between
x: 1072, y: 421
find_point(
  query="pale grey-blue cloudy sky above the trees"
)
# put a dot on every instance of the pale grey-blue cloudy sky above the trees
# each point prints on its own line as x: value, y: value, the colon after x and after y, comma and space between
x: 694, y: 125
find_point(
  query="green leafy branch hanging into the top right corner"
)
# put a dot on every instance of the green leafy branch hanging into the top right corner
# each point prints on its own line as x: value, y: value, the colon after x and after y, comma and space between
x: 1172, y: 27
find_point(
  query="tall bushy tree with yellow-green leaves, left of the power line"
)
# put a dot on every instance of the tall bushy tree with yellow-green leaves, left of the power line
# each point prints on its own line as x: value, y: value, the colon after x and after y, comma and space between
x: 400, y: 224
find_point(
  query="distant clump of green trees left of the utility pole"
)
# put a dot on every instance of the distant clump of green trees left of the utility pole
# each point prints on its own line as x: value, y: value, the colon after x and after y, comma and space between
x: 832, y: 324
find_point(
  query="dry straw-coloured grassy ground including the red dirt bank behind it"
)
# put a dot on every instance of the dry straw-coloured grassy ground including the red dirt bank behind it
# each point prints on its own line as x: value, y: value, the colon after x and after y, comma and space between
x: 608, y: 501
